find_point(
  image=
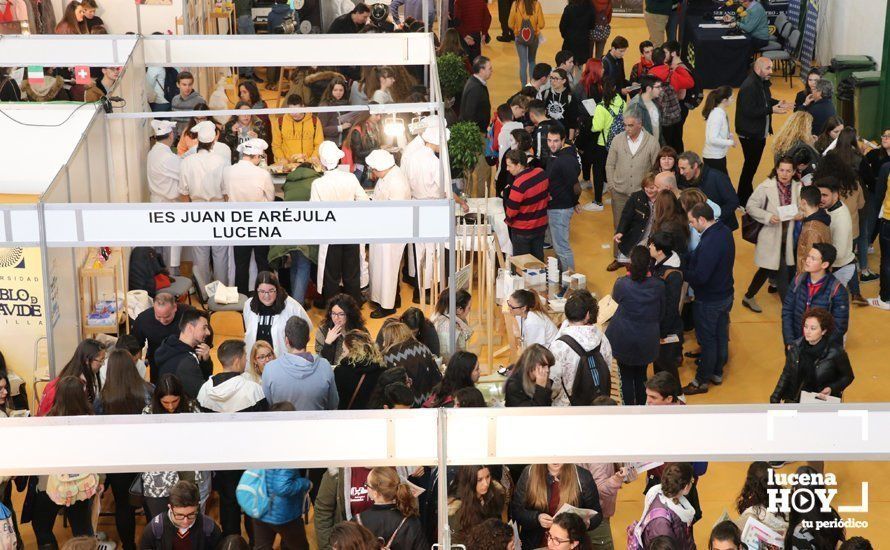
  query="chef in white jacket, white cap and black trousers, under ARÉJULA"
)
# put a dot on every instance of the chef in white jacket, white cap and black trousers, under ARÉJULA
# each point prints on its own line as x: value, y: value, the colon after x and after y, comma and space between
x: 337, y: 262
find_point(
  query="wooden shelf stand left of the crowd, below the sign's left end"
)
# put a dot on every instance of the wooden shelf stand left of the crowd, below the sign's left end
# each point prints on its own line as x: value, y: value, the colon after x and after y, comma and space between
x: 90, y: 280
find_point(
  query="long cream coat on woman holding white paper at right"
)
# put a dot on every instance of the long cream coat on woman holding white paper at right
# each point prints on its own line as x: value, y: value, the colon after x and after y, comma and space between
x: 763, y: 205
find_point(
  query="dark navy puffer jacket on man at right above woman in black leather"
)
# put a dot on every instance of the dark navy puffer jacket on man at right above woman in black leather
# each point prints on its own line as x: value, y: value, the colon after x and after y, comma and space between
x: 831, y: 296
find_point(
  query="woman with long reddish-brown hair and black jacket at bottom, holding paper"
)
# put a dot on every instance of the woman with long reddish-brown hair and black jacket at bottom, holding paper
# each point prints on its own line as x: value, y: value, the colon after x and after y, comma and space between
x: 542, y: 490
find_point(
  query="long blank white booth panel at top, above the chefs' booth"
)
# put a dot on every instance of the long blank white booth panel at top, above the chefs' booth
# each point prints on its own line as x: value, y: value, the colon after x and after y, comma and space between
x: 288, y: 50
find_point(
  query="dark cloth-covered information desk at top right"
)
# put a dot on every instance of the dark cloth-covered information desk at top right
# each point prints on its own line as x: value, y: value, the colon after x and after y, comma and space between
x: 717, y: 58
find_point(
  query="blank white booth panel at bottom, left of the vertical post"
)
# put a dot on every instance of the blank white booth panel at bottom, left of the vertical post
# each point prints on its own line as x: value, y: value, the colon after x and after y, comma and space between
x: 220, y: 441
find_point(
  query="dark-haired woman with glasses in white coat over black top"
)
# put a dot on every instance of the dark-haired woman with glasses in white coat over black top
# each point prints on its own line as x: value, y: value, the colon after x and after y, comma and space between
x: 266, y: 313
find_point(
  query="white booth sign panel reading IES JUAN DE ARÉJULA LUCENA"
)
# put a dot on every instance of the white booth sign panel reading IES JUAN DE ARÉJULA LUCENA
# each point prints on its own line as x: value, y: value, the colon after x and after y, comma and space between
x: 248, y: 223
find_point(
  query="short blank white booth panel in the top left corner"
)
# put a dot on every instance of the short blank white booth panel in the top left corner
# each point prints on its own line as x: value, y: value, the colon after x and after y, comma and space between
x: 66, y: 50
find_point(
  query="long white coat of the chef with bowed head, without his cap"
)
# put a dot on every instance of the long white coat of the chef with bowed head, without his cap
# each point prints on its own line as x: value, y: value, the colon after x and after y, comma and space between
x: 387, y: 257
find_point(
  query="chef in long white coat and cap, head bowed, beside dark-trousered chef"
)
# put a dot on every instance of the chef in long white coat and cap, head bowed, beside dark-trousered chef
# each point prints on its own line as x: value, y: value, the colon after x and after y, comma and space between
x: 386, y: 258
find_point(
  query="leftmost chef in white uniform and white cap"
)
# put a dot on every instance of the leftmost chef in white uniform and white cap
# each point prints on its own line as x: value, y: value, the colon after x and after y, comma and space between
x: 163, y: 178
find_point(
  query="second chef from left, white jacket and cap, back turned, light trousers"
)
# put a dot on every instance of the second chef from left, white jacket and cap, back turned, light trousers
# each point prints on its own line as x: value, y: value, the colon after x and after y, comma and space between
x: 201, y: 180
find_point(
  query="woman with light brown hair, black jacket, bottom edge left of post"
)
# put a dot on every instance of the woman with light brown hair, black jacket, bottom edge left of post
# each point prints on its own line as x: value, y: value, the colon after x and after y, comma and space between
x: 394, y: 515
